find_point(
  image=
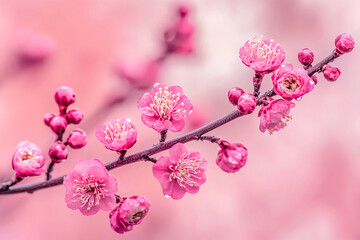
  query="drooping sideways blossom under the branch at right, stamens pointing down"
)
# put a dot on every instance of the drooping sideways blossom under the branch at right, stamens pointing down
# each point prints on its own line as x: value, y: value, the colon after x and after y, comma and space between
x: 275, y: 115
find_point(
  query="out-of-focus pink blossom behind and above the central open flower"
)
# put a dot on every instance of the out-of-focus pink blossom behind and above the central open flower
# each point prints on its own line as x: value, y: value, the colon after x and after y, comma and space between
x: 141, y: 74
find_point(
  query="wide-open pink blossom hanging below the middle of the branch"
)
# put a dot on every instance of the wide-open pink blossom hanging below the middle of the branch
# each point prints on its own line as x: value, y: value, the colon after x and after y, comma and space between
x: 181, y: 172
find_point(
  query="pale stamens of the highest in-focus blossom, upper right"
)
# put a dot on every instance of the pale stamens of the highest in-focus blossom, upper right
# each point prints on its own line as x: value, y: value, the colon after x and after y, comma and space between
x: 259, y: 51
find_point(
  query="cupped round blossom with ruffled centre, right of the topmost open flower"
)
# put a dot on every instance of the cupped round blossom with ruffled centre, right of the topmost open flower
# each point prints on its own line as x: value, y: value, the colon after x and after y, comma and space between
x: 292, y: 83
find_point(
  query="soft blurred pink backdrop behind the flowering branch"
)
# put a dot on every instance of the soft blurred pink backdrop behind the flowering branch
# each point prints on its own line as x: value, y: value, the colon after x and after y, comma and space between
x: 300, y: 183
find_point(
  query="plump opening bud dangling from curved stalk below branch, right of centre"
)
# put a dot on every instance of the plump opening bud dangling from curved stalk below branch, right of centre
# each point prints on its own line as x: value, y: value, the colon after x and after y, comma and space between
x: 231, y: 157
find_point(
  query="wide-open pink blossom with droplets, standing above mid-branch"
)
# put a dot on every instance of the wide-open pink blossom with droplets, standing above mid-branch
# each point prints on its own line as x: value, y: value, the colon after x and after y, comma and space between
x: 165, y: 108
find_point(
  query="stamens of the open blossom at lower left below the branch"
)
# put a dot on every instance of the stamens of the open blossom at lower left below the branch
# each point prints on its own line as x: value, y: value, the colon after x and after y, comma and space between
x: 89, y: 191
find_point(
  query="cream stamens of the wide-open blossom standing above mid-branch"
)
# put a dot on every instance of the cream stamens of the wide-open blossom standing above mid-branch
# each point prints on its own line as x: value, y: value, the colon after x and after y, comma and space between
x: 166, y: 104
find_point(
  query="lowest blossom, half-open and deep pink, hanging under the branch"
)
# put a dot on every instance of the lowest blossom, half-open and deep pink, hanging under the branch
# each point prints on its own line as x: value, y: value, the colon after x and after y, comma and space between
x: 130, y: 212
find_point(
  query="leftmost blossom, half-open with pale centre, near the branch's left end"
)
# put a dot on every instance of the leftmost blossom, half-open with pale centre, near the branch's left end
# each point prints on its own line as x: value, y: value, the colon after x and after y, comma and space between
x: 28, y: 159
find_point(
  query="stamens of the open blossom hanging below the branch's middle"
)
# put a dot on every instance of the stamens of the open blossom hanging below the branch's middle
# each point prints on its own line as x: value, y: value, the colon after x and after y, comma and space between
x: 186, y: 170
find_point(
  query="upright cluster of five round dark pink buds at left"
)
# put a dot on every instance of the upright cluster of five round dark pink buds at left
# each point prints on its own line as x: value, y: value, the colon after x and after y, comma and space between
x: 64, y: 96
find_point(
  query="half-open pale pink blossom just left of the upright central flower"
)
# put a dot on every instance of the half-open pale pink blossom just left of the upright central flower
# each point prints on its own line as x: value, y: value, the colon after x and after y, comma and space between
x: 117, y: 134
